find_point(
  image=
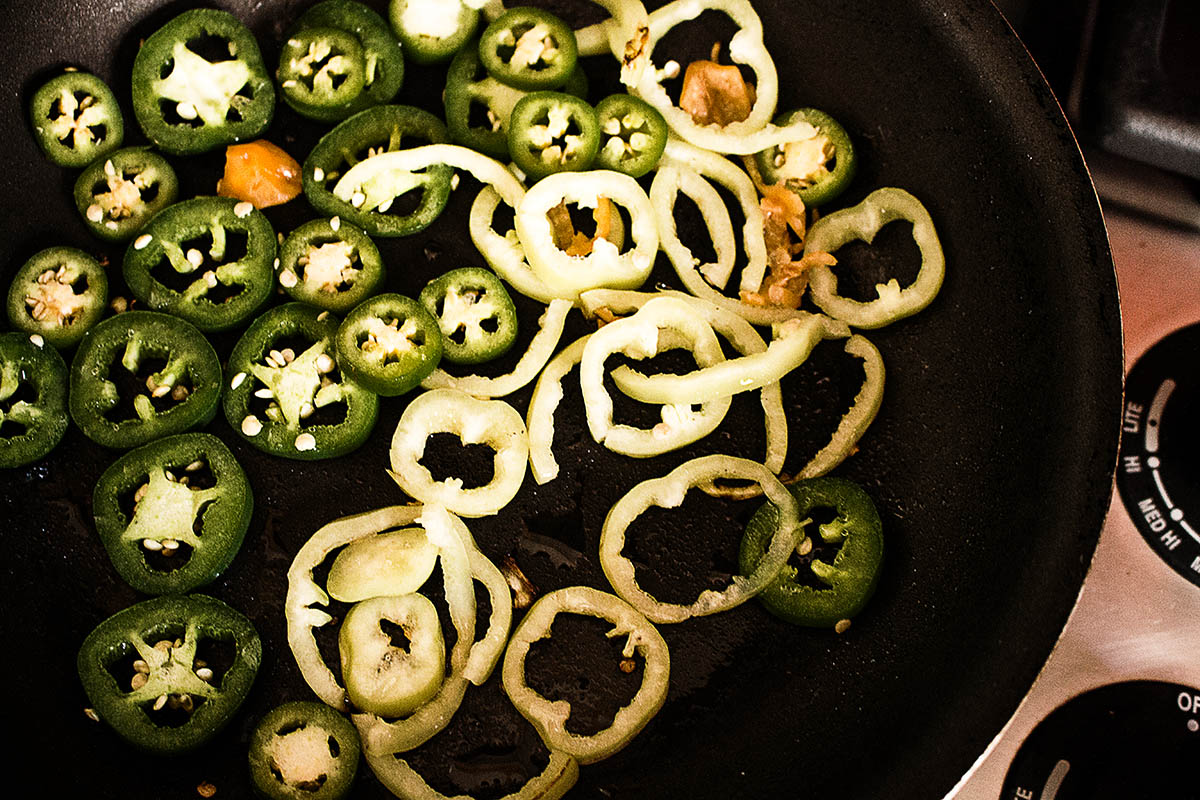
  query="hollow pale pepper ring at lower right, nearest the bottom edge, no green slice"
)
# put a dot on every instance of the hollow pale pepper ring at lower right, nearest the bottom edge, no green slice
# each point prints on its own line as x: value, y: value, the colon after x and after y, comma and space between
x: 550, y: 717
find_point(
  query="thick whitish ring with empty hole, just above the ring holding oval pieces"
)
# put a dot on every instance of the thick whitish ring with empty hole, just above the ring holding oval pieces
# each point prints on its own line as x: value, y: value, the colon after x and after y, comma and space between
x: 476, y: 422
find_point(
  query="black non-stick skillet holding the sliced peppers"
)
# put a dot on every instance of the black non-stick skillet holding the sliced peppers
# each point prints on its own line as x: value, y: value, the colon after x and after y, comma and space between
x: 991, y: 461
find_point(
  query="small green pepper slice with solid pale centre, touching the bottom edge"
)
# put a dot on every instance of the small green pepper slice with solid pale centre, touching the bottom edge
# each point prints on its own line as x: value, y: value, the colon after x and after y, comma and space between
x: 304, y: 751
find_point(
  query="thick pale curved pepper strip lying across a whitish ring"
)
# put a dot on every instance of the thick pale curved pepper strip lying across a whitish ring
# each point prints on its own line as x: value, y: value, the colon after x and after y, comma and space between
x: 795, y: 344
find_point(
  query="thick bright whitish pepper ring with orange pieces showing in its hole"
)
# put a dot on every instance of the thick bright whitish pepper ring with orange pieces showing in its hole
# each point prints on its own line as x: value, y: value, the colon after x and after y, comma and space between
x: 605, y: 267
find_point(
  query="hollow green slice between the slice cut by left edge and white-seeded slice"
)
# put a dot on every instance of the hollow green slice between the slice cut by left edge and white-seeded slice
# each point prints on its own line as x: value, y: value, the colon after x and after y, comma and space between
x: 181, y: 393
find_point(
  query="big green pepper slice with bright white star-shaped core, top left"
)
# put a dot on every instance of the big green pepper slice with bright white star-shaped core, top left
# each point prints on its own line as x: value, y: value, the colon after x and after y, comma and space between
x: 188, y: 104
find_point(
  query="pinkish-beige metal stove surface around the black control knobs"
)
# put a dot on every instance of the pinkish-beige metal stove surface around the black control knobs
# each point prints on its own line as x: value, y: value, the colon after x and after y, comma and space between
x: 1136, y: 619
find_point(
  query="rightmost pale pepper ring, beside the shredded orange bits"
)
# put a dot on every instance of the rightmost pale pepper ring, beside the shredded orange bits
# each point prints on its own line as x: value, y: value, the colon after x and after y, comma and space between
x: 862, y: 222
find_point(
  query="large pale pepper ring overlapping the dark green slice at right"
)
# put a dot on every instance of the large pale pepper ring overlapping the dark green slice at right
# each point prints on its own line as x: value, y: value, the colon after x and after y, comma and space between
x: 669, y: 492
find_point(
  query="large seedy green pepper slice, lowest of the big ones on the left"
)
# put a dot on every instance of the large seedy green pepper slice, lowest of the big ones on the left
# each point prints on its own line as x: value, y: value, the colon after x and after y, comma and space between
x: 146, y: 672
